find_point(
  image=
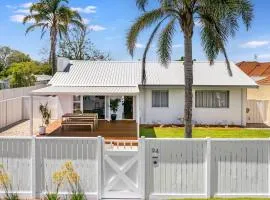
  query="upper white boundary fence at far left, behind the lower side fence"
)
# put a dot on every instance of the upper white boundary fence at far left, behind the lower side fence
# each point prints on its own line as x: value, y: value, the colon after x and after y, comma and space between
x: 18, y: 92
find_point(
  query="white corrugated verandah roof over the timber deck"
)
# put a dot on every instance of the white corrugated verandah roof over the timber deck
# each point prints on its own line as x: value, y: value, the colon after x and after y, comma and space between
x: 104, y: 90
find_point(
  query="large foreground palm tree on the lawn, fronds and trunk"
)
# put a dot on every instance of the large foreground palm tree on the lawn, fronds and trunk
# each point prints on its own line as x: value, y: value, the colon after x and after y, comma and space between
x: 218, y: 19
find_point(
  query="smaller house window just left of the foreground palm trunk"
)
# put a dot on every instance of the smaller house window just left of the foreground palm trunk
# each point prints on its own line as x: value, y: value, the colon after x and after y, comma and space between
x: 160, y: 98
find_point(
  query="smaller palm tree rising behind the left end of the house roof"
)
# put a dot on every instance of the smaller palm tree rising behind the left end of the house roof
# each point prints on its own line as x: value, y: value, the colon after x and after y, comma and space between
x: 54, y: 16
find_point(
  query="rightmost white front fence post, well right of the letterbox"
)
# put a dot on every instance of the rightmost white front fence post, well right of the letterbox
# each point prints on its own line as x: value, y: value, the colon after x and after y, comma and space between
x: 208, y: 169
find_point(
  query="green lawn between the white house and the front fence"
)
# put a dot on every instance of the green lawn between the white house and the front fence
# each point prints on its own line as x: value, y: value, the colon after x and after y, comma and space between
x: 158, y: 132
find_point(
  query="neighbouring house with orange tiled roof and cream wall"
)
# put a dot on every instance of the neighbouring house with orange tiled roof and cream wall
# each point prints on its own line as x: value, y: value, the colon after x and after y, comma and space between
x: 259, y: 72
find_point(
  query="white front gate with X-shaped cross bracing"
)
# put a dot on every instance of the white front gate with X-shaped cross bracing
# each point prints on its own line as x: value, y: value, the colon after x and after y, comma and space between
x: 122, y: 170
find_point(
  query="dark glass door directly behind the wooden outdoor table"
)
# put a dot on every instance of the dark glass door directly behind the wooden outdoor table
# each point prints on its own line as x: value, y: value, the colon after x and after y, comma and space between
x: 94, y: 104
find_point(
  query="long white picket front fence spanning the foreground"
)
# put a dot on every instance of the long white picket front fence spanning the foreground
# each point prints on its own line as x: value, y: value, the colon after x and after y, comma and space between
x: 168, y: 168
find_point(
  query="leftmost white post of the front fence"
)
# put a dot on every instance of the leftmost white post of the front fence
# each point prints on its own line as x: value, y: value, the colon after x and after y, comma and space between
x: 33, y: 168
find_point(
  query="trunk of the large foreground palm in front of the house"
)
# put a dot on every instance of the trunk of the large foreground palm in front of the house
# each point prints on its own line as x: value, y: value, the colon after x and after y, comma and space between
x: 188, y: 69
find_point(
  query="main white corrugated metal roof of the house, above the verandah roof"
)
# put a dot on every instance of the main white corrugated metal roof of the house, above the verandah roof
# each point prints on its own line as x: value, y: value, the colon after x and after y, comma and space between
x: 115, y: 73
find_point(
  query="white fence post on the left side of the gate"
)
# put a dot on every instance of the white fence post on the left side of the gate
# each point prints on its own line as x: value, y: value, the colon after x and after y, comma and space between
x: 100, y: 168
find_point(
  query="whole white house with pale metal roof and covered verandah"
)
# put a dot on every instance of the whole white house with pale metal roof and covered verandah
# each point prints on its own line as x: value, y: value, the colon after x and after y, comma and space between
x: 90, y: 85
